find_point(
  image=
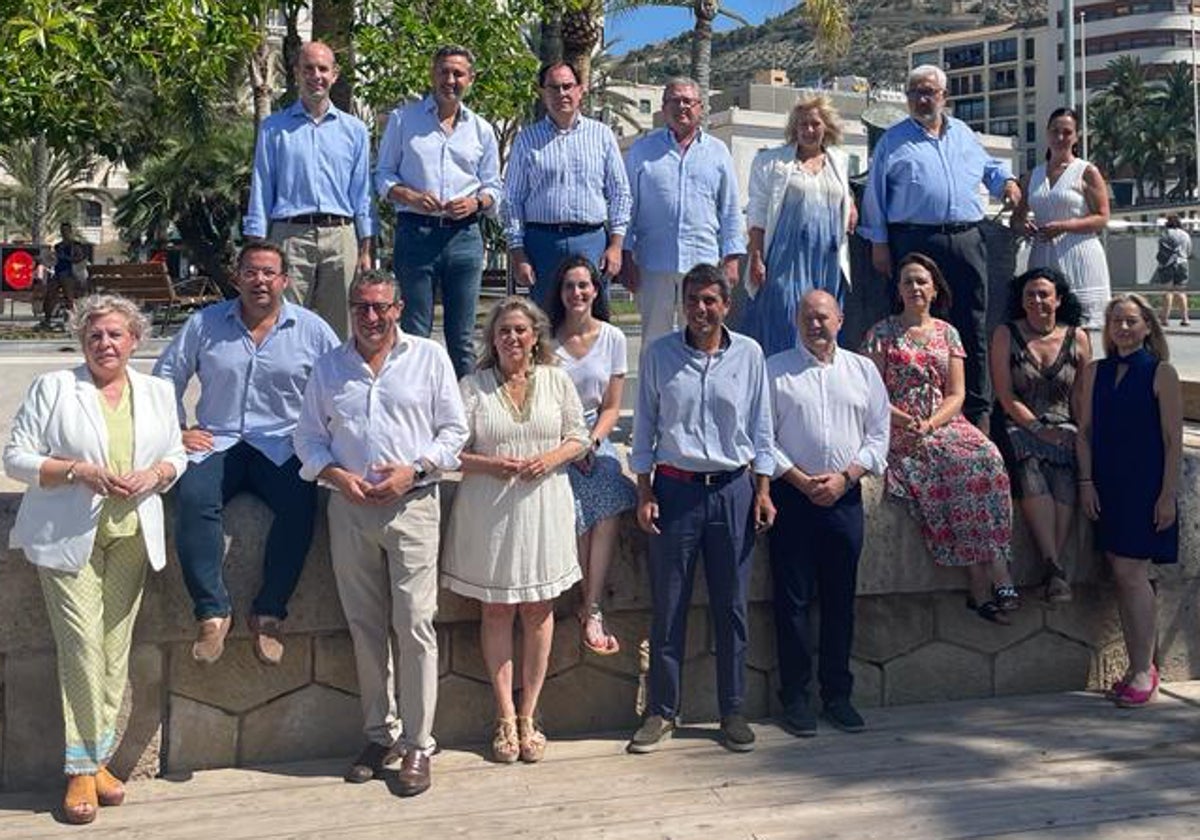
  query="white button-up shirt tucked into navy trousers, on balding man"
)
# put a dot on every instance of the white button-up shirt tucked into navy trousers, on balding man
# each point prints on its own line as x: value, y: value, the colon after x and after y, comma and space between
x: 829, y: 416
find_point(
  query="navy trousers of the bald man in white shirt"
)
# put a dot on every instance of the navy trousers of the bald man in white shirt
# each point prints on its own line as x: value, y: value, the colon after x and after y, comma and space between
x: 814, y: 560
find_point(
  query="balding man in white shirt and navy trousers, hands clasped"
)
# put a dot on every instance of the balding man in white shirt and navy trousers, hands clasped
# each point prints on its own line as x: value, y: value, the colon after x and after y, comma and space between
x: 832, y: 422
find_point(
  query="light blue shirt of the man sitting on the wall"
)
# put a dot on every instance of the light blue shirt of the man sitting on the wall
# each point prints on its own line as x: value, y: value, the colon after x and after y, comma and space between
x: 248, y: 393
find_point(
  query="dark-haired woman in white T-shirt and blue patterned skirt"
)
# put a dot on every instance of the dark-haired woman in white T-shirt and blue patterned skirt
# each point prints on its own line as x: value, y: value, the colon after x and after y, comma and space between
x: 593, y: 353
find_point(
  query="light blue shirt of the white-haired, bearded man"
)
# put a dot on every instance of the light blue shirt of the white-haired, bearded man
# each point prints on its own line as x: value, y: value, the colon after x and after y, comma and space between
x: 928, y: 181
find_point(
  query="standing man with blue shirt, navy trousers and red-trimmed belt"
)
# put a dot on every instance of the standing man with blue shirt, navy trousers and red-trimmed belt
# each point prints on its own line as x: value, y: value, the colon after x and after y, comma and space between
x: 704, y: 428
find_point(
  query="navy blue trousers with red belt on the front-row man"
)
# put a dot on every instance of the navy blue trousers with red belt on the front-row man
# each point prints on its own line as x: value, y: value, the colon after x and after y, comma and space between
x: 695, y: 519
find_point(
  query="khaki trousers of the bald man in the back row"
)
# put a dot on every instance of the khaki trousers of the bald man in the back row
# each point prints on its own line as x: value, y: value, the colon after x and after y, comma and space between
x: 321, y: 266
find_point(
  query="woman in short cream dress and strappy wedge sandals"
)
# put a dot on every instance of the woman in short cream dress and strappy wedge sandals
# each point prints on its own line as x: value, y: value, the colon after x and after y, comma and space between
x: 507, y: 547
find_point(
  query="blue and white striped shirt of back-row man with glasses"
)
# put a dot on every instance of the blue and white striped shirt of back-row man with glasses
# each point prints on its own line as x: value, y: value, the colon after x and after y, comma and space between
x: 566, y: 177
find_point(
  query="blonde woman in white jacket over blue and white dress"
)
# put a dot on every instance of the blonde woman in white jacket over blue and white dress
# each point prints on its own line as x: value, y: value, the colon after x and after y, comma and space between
x: 800, y: 215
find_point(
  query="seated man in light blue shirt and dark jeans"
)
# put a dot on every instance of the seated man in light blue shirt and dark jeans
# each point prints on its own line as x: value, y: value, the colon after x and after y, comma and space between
x: 253, y: 357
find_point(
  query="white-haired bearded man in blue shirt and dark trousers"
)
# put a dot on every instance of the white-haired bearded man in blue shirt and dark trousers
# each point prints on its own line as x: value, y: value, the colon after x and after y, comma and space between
x: 923, y: 195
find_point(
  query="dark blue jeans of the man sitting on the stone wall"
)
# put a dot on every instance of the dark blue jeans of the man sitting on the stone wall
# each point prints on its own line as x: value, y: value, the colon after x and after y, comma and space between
x: 202, y: 494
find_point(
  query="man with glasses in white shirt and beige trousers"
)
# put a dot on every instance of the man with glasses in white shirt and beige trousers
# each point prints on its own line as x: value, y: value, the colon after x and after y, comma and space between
x: 382, y: 417
